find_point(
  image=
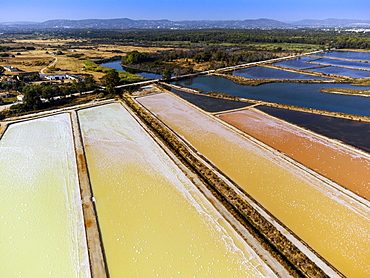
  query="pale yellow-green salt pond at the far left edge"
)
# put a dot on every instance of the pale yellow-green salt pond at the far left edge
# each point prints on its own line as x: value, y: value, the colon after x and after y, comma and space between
x: 41, y: 222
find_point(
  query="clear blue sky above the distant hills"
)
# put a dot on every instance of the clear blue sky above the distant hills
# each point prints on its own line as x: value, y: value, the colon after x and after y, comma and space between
x: 284, y: 10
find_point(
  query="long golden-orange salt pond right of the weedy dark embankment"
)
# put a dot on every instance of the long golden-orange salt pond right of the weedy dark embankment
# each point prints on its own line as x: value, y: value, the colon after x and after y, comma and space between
x: 332, y: 223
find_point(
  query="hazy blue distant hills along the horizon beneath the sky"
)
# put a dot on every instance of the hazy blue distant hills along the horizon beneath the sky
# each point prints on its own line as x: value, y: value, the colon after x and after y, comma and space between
x: 126, y: 23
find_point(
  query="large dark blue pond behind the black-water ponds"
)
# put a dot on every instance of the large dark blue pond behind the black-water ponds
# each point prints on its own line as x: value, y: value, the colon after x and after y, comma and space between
x: 300, y: 94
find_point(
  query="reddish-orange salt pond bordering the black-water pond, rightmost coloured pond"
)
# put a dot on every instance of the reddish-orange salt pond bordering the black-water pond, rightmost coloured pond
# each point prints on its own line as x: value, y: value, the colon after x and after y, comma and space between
x: 346, y: 167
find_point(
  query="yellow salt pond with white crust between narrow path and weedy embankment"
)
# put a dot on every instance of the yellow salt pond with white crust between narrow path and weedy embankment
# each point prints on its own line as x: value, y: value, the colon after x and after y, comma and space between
x: 154, y: 221
